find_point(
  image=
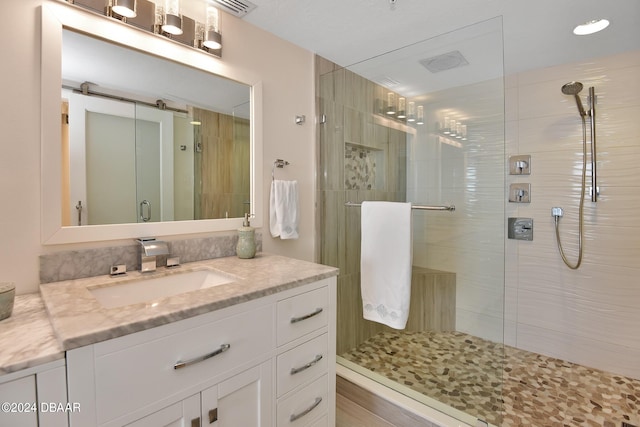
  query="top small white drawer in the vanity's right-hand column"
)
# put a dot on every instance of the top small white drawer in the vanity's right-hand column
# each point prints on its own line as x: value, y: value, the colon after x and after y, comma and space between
x: 302, y: 314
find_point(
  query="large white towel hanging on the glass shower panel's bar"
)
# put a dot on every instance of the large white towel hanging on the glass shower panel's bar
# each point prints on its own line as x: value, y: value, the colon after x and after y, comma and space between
x: 385, y: 263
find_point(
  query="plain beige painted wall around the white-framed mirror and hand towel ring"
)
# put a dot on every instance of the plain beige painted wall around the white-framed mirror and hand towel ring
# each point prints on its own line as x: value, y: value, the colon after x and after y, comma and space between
x: 287, y: 76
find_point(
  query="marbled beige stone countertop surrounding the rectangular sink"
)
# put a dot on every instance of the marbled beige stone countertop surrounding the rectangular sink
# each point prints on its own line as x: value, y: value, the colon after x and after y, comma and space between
x: 78, y: 319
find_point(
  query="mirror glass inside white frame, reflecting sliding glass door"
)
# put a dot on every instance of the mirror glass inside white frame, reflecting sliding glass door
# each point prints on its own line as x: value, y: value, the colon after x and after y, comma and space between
x: 149, y: 139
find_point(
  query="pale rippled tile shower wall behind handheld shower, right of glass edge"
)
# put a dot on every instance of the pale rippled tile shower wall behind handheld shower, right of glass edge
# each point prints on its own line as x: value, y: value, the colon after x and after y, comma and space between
x: 591, y: 315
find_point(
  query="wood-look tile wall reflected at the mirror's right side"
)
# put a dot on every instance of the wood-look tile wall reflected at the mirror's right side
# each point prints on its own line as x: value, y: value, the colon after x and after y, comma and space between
x: 222, y: 166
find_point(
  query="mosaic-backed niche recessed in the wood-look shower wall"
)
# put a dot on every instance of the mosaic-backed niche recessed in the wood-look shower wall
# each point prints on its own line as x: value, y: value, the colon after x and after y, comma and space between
x: 363, y: 167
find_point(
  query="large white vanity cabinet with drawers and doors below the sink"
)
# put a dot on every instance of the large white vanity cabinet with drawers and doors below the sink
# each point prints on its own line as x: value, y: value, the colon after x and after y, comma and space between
x: 266, y: 362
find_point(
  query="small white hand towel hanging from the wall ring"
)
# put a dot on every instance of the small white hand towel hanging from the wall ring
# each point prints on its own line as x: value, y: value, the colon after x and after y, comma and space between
x: 283, y: 209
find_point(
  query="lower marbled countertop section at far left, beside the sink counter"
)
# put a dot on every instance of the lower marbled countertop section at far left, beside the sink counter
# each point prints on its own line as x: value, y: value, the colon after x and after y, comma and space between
x: 27, y: 336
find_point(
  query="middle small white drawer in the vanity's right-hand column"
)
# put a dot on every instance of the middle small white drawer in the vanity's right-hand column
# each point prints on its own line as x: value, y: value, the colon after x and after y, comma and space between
x: 302, y: 364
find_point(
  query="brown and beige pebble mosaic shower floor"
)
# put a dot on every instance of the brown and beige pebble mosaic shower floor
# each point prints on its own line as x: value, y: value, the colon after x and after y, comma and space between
x: 501, y: 384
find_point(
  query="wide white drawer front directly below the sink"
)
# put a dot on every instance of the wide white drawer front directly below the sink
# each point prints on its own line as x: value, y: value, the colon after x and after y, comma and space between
x: 133, y: 377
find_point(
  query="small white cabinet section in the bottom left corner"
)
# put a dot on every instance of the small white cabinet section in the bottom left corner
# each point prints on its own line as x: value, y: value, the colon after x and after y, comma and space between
x: 35, y: 397
